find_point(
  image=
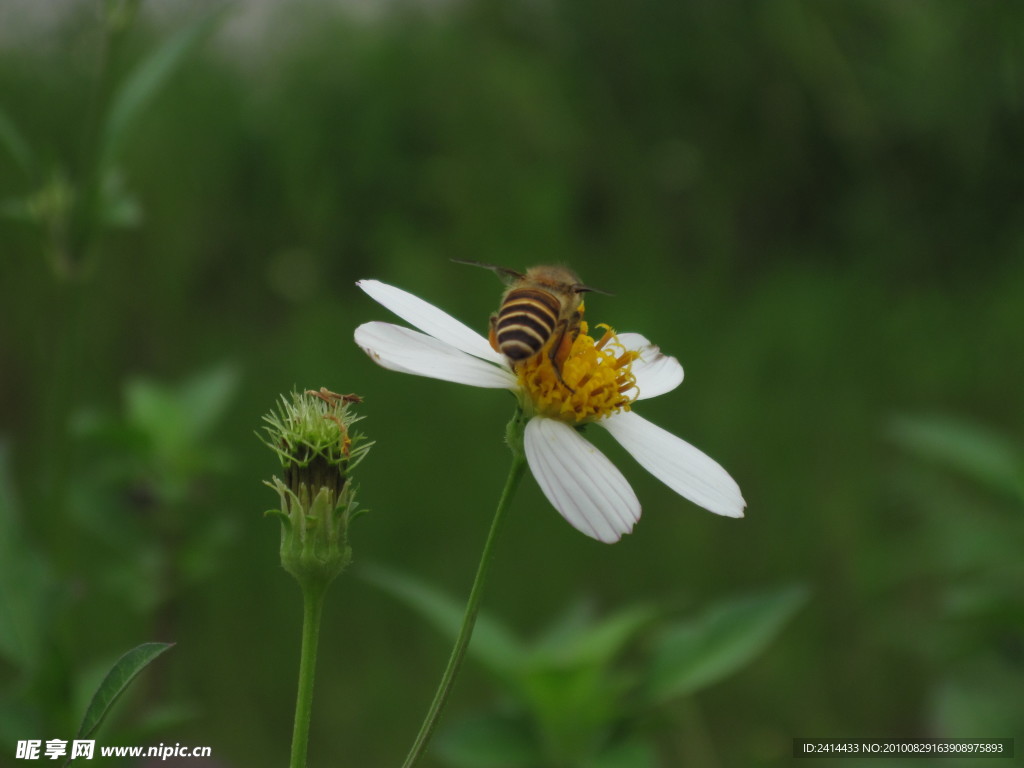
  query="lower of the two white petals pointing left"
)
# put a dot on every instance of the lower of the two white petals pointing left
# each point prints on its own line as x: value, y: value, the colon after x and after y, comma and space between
x: 410, y: 352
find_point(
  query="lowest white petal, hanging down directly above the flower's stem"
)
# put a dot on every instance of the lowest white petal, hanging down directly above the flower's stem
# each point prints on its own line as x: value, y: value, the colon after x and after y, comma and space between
x: 580, y: 482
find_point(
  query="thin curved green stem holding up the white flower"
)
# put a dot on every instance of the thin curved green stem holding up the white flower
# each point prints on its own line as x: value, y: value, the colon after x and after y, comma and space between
x: 474, y: 605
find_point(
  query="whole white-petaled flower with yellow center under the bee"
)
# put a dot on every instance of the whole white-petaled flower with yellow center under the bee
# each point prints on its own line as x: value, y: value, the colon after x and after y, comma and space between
x: 582, y: 484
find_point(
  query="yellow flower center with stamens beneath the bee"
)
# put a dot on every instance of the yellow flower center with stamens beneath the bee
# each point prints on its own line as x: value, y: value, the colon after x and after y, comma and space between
x: 596, y: 379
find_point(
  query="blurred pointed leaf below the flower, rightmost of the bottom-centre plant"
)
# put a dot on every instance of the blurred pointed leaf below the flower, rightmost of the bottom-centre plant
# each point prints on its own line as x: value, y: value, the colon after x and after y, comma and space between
x: 694, y: 655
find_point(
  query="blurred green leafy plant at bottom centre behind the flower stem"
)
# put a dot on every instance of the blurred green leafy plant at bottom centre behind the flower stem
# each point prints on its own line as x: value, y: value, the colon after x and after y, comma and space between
x: 574, y: 697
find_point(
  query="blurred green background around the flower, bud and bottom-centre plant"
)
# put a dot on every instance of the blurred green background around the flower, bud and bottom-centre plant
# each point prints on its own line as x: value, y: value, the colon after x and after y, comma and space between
x: 819, y: 208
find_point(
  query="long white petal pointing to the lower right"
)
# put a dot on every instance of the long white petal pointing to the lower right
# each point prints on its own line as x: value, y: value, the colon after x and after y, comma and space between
x: 676, y: 463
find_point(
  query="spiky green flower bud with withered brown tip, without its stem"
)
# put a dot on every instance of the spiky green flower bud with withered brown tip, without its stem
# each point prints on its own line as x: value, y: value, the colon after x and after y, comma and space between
x: 312, y: 434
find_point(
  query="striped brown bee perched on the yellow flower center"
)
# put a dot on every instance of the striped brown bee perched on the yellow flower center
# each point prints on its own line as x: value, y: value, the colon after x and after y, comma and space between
x: 540, y: 311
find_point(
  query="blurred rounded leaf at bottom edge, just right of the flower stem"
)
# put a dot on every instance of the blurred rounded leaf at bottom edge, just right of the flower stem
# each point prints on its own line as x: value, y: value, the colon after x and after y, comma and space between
x: 489, y: 742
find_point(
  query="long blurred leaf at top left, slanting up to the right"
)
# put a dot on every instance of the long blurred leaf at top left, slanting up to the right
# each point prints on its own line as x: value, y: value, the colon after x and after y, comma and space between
x: 149, y: 77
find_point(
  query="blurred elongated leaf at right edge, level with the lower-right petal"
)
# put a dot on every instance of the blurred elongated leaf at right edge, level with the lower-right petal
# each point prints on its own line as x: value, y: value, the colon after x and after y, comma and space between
x: 972, y: 450
